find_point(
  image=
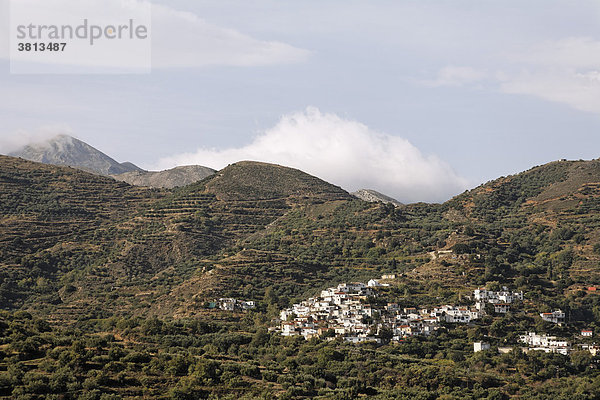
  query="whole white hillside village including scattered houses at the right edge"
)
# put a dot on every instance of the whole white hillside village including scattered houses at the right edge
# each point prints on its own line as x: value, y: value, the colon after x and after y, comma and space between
x: 347, y: 311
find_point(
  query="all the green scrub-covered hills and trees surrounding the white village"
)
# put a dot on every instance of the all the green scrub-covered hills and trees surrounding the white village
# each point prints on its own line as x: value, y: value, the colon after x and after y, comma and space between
x: 105, y: 285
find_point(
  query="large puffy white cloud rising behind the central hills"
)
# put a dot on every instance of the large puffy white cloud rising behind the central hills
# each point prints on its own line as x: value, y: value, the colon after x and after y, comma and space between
x: 343, y: 152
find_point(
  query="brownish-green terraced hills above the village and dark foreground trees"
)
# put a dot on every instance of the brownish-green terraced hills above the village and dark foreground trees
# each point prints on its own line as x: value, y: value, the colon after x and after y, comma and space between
x: 75, y: 244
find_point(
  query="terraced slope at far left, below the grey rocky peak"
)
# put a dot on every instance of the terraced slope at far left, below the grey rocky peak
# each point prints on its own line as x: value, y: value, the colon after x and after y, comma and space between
x: 54, y: 219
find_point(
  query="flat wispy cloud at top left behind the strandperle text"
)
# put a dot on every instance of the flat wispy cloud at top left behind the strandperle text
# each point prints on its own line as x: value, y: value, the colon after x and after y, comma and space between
x: 179, y: 39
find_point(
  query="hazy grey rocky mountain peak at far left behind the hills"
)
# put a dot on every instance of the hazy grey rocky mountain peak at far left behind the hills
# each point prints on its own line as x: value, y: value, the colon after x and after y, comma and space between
x: 67, y: 150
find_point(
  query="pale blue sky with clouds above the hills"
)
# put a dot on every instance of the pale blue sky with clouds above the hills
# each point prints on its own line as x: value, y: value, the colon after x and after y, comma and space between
x: 417, y: 100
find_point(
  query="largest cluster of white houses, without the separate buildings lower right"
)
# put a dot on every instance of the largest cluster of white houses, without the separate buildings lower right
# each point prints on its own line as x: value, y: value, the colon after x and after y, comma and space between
x: 343, y: 311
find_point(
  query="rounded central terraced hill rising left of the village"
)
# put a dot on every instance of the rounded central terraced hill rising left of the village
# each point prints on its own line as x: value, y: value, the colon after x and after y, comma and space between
x: 193, y: 233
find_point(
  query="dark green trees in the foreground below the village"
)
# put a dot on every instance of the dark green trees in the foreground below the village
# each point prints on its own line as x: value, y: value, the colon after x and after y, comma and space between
x: 233, y: 356
